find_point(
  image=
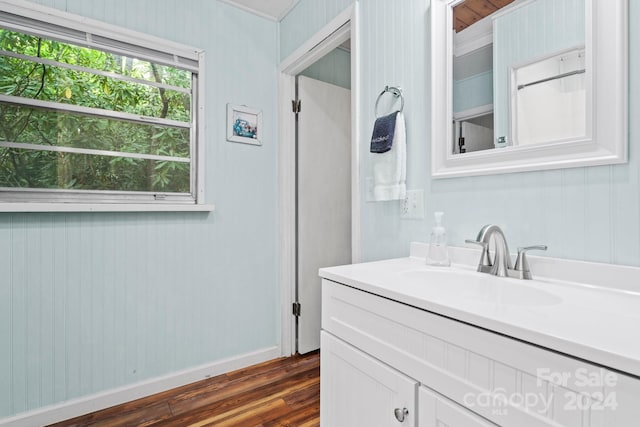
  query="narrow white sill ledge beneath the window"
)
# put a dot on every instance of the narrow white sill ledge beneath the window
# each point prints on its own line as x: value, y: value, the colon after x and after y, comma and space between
x: 103, y: 207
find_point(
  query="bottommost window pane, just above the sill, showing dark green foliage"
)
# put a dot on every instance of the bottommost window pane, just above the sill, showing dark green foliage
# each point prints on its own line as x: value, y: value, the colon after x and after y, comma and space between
x: 52, y: 170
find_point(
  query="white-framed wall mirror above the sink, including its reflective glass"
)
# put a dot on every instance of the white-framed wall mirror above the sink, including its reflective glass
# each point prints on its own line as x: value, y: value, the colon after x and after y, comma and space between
x: 522, y: 85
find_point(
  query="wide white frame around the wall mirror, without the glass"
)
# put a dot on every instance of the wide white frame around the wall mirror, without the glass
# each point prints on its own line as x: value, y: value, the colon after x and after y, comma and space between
x: 606, y: 46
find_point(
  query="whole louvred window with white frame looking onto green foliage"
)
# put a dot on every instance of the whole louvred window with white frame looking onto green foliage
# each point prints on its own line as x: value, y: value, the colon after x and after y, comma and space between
x: 90, y: 113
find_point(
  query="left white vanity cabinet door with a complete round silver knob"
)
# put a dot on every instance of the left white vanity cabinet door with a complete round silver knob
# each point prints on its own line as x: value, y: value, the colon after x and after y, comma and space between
x: 358, y: 390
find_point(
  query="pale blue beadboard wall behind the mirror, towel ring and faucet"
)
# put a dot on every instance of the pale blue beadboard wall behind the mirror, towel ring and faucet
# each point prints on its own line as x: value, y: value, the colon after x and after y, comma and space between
x: 585, y: 213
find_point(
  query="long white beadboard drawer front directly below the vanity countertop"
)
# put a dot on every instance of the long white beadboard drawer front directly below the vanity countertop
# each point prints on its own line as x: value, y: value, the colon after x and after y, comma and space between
x: 509, y: 382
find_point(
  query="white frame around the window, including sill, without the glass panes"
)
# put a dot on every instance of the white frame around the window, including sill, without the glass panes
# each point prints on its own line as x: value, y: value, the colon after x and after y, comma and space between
x: 27, y: 17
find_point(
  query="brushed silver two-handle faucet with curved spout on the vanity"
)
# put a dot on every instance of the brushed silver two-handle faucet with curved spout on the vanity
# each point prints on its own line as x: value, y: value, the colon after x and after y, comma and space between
x: 501, y: 264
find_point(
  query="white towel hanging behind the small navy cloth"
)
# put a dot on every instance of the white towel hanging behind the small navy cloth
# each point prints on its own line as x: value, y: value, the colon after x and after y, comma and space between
x: 390, y: 168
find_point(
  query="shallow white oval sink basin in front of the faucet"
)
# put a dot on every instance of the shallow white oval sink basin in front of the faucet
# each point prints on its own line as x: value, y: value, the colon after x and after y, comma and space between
x: 448, y: 283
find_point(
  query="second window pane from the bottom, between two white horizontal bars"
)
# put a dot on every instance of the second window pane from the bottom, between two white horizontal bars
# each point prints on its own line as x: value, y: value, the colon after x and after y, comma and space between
x: 62, y: 129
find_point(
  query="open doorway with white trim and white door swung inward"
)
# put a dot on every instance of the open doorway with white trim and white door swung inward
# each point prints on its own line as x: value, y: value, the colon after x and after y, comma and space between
x: 307, y: 207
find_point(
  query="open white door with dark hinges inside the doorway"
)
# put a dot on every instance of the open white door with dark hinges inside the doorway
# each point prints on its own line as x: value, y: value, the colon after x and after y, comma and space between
x: 323, y: 196
